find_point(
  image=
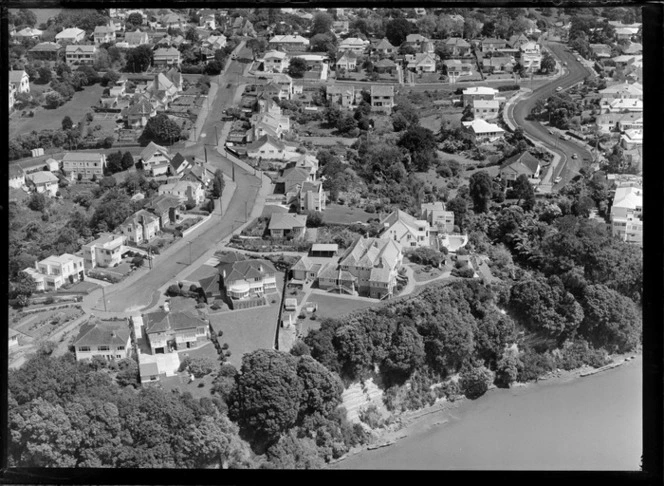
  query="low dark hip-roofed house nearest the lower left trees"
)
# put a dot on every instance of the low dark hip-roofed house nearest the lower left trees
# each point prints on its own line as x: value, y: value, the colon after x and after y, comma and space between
x: 106, y: 339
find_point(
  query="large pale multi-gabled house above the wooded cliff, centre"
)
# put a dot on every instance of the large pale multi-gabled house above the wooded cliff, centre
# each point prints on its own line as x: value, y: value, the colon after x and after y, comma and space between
x: 369, y: 267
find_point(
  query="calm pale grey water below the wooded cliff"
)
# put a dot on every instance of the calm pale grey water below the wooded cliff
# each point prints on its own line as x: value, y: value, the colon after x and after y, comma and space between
x: 591, y: 423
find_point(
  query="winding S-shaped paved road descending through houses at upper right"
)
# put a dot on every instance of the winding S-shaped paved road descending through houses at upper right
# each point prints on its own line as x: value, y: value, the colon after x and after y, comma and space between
x: 568, y: 168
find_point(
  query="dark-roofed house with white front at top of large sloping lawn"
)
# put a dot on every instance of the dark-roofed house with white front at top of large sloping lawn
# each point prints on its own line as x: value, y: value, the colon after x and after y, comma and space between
x: 246, y: 282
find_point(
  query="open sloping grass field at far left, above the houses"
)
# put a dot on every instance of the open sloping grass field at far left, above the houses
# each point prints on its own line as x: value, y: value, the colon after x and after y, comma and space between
x: 76, y: 109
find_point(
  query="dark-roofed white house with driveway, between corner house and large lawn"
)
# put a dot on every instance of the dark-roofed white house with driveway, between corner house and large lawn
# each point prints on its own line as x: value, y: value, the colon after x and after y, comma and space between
x: 168, y: 331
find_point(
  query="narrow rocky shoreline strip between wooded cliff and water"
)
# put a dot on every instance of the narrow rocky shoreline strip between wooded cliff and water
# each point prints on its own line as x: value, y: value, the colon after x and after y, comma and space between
x: 413, y: 422
